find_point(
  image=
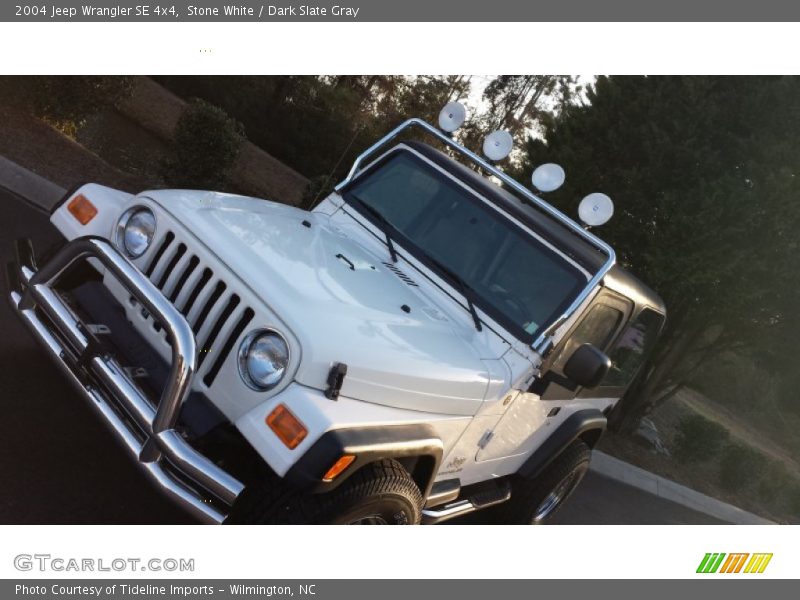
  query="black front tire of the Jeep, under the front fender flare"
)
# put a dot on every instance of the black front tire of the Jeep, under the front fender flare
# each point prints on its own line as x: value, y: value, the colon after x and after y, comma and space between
x: 381, y: 493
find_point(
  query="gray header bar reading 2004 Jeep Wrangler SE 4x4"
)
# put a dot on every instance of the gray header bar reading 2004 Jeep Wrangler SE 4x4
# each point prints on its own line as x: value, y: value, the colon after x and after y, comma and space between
x: 402, y: 10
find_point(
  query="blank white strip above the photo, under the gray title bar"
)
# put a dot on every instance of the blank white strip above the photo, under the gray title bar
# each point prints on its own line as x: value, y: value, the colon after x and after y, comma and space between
x: 345, y: 48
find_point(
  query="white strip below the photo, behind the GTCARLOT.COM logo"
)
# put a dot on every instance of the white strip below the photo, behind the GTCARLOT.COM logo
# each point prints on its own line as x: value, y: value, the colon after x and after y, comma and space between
x: 458, y: 551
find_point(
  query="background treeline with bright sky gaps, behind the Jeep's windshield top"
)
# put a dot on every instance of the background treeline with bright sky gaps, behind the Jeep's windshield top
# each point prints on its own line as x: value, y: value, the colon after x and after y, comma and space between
x: 318, y: 125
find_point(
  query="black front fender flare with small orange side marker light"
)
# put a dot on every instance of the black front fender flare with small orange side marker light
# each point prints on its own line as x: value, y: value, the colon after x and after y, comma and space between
x: 415, y: 446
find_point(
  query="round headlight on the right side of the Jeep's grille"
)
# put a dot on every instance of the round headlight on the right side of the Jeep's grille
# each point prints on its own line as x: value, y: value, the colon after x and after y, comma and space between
x: 263, y: 359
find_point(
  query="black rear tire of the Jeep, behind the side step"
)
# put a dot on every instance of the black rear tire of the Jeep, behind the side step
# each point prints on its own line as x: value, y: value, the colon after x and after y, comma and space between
x: 535, y: 501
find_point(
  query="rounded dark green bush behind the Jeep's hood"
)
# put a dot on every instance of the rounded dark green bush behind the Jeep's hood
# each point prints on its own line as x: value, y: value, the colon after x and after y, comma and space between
x: 207, y: 142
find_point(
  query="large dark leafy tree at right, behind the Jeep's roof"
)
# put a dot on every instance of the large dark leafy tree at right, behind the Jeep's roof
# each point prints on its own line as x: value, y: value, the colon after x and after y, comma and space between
x: 704, y: 174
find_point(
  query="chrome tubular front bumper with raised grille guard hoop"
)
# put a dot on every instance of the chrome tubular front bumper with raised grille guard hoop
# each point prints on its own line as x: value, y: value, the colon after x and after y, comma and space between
x: 147, y: 428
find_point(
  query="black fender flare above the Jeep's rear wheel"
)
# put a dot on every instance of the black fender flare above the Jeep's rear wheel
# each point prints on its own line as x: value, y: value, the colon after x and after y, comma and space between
x: 588, y: 424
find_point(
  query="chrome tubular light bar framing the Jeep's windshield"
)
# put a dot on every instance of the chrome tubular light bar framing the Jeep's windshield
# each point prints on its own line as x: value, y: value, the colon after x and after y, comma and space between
x: 542, y: 343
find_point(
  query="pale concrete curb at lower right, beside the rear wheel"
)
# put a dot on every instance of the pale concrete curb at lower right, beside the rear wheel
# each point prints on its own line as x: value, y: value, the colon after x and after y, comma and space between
x: 616, y: 469
